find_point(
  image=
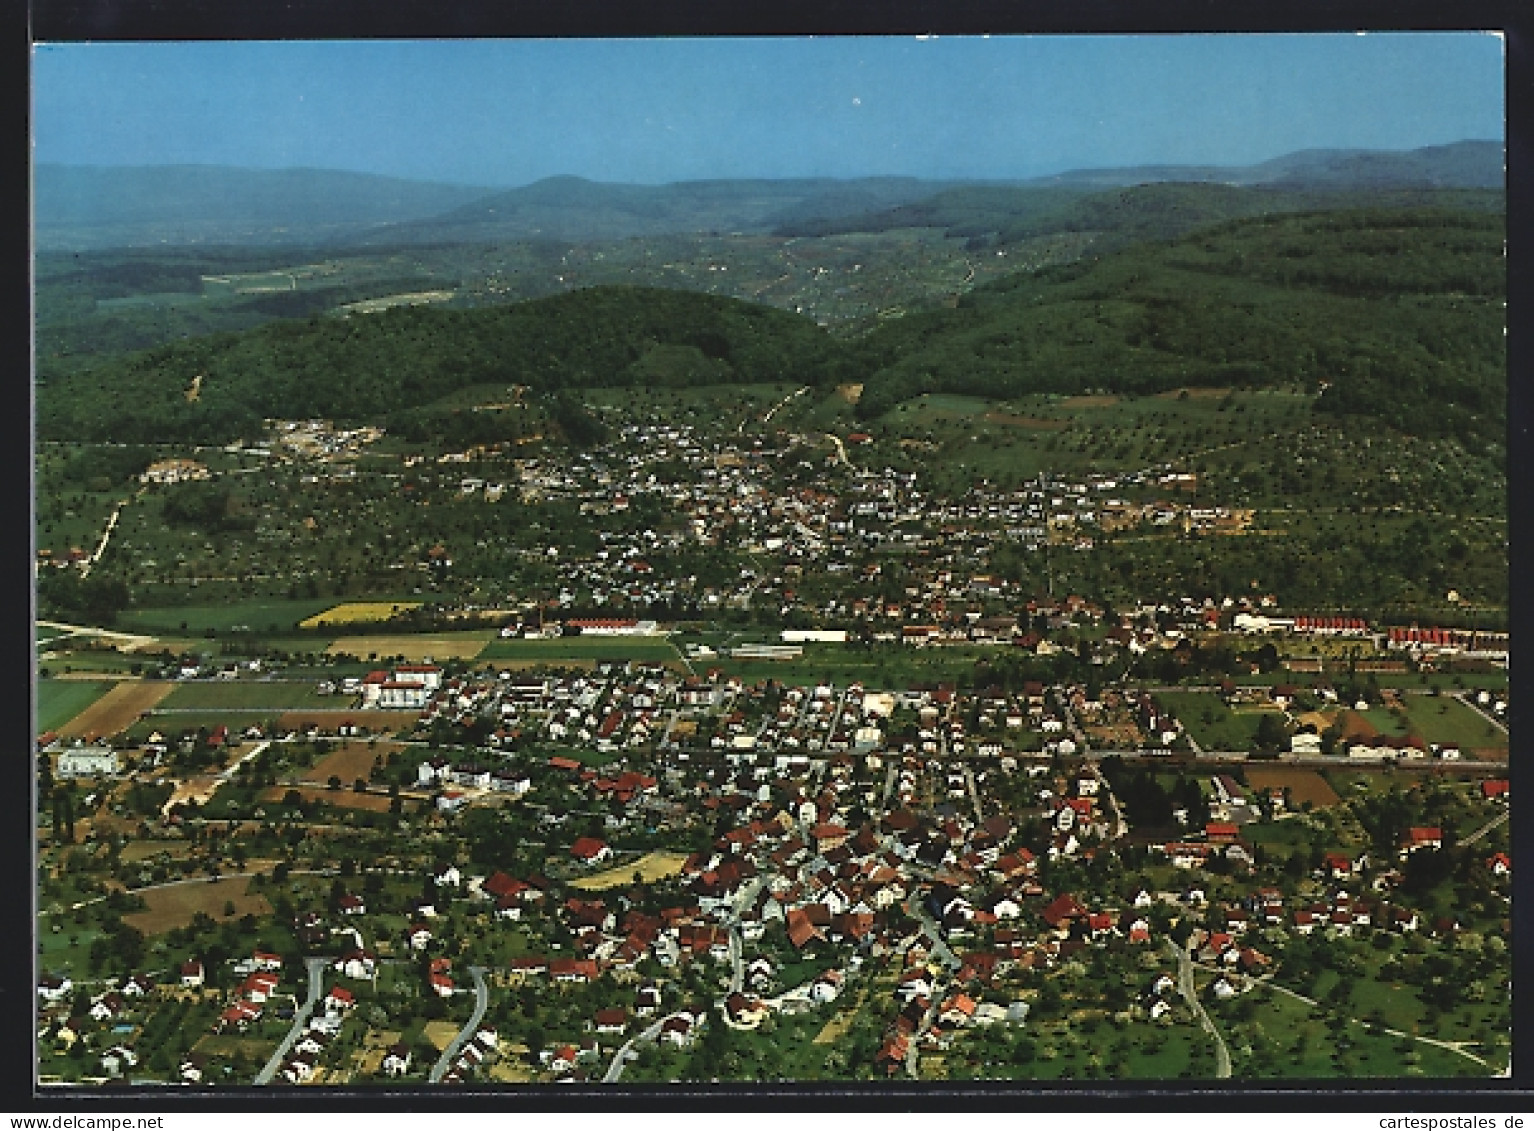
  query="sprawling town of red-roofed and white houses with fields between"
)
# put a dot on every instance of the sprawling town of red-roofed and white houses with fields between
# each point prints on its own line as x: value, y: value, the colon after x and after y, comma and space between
x: 772, y: 770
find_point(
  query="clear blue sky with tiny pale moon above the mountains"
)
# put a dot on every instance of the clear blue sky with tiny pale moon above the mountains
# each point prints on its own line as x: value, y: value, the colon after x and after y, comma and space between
x: 505, y: 113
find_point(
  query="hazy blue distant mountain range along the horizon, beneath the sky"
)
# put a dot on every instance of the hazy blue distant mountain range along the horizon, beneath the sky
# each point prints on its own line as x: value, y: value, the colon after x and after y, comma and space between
x: 82, y: 208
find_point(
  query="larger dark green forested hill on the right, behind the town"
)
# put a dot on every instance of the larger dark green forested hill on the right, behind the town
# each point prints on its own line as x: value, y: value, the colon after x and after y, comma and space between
x: 1397, y: 314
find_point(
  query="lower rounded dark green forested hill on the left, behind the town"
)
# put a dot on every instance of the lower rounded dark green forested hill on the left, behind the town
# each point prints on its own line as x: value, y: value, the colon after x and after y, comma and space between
x: 372, y: 368
